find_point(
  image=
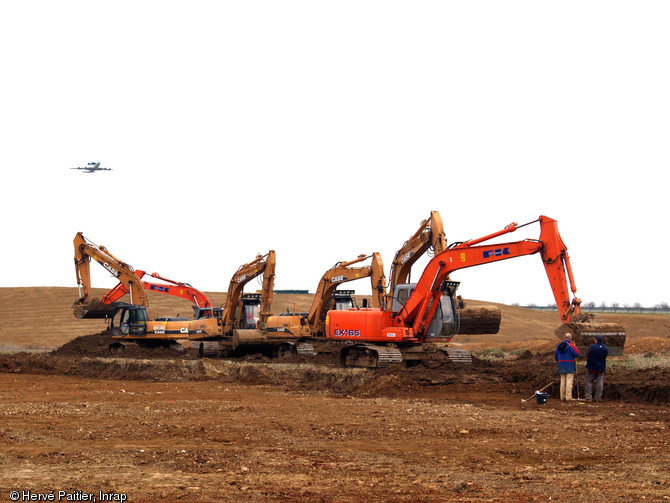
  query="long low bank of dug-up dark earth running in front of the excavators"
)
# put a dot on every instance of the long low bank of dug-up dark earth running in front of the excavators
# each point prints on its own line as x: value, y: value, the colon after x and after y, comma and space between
x: 521, y: 376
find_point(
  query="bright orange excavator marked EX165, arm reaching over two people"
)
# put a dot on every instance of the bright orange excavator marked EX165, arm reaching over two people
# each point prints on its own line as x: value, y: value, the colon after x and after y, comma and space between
x: 379, y: 337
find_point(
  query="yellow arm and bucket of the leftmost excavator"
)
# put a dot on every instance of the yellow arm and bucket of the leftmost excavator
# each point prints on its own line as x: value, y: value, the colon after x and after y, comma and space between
x: 84, y: 251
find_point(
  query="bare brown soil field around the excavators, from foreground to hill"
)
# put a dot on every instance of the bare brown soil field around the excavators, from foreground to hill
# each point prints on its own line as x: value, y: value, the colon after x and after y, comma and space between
x: 169, y: 426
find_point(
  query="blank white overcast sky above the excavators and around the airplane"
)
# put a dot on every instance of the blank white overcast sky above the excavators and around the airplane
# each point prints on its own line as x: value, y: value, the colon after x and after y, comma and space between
x: 323, y: 130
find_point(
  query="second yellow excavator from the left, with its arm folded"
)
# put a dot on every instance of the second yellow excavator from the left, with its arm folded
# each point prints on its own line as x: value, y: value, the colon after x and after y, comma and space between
x: 215, y: 335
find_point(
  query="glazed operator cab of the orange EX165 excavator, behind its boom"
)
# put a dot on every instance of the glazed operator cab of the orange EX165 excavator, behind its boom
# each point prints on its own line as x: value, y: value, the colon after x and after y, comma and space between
x: 444, y: 324
